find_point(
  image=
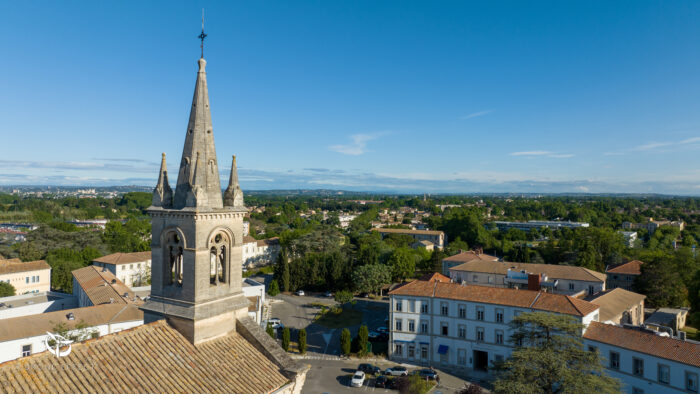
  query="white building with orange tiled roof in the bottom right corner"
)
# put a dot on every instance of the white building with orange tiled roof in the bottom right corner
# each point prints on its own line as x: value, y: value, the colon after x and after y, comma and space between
x: 644, y: 361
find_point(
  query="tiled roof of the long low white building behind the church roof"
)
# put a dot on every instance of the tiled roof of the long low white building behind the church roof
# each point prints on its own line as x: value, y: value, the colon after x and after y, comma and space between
x: 35, y: 325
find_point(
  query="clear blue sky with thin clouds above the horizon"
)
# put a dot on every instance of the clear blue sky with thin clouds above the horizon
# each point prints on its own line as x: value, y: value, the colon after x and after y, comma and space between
x: 406, y: 96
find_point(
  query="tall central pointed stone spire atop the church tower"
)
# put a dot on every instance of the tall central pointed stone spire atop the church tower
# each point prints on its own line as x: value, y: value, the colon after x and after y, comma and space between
x: 199, y: 141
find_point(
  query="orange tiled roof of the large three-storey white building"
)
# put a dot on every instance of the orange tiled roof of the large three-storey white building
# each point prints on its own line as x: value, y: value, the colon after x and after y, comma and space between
x: 500, y: 296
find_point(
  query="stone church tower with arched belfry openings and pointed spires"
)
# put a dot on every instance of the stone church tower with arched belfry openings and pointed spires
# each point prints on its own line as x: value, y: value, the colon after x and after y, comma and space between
x: 197, y: 236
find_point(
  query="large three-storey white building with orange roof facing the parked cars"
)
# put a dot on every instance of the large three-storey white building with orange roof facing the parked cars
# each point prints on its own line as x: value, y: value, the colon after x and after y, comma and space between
x: 465, y: 327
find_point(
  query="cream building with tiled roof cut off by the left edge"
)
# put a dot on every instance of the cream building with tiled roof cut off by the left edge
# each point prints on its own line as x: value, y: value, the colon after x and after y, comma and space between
x: 26, y: 277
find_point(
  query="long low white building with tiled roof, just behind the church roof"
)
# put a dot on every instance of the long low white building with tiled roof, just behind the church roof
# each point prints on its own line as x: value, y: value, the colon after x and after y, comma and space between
x: 24, y: 336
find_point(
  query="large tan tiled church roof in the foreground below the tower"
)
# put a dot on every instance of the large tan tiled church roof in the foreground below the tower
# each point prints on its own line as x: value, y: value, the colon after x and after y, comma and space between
x: 149, y: 358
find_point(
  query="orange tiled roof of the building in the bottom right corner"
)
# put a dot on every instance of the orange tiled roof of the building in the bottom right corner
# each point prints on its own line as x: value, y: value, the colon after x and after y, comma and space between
x: 644, y: 342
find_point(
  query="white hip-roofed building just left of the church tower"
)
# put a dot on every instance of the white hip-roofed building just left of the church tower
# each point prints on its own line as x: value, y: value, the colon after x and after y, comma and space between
x: 134, y: 269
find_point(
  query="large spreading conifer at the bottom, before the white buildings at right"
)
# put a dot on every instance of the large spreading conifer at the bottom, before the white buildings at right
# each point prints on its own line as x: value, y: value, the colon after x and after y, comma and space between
x: 549, y: 358
